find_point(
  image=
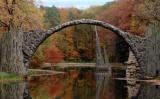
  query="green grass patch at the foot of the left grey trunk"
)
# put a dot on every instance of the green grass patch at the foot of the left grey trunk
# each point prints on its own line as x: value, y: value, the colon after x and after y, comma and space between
x: 4, y: 76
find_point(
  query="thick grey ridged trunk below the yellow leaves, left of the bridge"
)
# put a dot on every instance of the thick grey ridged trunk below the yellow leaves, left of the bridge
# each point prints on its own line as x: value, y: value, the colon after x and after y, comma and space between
x: 11, y: 52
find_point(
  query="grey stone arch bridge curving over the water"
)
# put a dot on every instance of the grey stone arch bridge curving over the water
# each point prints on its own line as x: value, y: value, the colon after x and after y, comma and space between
x: 33, y: 39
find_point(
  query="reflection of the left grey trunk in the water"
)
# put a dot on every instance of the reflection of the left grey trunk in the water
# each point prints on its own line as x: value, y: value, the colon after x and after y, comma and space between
x: 14, y: 91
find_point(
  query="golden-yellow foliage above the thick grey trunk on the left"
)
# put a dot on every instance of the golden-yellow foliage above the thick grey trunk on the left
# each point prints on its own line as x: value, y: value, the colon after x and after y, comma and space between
x: 24, y: 13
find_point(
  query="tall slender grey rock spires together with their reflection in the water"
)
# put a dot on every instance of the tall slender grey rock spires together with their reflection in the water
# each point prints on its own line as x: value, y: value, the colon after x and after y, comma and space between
x: 101, y: 61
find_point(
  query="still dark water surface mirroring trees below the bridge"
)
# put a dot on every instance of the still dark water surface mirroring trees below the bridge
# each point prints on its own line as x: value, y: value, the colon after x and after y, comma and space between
x: 75, y: 84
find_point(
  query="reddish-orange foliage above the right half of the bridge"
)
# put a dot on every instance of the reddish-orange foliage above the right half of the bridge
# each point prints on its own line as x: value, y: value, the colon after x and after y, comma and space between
x: 122, y: 15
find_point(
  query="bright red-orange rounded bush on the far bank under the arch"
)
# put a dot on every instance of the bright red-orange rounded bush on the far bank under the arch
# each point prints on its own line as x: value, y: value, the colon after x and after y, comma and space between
x: 53, y: 55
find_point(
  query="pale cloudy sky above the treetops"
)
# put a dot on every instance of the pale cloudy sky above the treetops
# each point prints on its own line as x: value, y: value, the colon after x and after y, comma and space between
x: 81, y: 4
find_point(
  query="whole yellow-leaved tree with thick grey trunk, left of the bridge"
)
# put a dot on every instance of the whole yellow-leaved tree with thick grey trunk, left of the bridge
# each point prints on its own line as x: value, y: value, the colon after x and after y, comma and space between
x: 16, y: 16
